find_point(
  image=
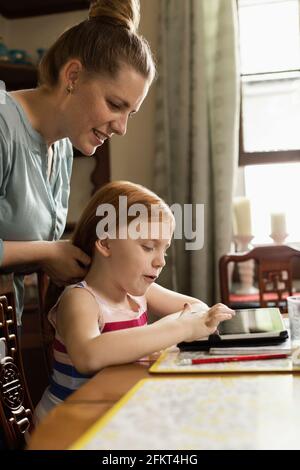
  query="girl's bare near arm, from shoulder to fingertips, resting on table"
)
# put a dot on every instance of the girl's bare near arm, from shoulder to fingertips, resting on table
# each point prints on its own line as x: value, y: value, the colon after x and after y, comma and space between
x: 90, y: 351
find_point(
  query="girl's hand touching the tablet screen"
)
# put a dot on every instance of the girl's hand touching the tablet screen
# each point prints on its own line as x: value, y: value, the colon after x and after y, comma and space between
x: 205, y: 323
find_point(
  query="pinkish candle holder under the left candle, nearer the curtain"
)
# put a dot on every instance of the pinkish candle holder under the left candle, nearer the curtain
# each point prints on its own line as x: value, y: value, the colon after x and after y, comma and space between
x: 246, y: 268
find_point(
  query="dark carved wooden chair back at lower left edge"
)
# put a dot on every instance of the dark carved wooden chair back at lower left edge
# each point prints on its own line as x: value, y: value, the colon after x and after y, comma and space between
x: 16, y: 408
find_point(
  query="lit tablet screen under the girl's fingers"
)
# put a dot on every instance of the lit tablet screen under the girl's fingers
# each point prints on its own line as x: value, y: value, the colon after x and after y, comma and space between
x: 253, y: 321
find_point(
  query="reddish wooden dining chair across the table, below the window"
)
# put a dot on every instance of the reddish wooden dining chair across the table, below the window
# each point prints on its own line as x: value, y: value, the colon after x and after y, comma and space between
x: 274, y: 267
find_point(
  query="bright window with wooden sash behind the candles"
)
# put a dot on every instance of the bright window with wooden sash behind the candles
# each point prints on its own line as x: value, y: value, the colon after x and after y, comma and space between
x: 270, y: 117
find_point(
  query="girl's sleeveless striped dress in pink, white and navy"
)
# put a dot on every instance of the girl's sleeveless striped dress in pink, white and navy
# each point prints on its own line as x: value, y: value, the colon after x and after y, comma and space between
x: 65, y: 378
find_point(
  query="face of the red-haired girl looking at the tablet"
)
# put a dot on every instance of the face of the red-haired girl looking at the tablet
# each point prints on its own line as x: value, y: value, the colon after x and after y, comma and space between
x: 136, y: 264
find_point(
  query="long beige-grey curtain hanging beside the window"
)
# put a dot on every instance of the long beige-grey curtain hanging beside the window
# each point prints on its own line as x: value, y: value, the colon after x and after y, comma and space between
x: 197, y: 131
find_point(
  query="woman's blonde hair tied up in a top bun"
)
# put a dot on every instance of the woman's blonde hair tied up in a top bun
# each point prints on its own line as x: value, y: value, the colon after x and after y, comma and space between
x: 103, y: 42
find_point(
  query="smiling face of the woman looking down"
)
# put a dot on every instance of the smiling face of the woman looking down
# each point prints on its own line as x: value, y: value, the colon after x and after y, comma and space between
x: 100, y: 107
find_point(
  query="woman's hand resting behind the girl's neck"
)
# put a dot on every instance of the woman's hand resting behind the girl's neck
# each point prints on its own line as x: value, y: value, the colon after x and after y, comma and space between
x: 65, y: 263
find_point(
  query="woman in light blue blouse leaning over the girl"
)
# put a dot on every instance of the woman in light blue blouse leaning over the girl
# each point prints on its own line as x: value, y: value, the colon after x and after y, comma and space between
x: 91, y: 80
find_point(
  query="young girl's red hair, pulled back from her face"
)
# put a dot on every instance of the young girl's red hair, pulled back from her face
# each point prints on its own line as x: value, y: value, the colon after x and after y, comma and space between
x: 85, y: 234
